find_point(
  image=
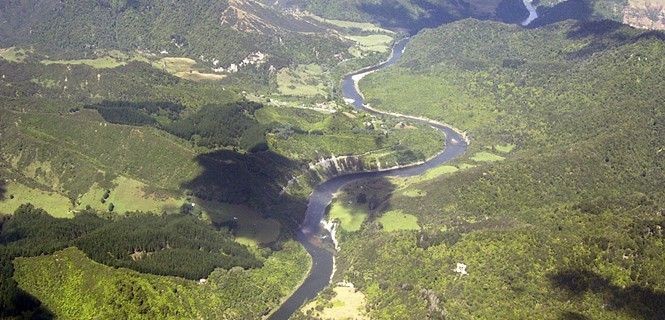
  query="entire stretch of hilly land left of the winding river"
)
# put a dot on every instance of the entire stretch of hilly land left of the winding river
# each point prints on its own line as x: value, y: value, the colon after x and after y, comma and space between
x: 146, y: 173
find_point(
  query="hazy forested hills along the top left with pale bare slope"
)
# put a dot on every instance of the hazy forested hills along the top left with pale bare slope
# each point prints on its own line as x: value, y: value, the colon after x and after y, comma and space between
x: 212, y: 30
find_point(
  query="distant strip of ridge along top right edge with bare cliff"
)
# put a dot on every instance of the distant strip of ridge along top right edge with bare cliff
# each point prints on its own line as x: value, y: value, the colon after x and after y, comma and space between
x: 417, y: 14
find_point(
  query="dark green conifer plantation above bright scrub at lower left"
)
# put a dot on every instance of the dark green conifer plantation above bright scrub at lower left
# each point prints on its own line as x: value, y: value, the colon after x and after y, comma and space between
x: 175, y: 245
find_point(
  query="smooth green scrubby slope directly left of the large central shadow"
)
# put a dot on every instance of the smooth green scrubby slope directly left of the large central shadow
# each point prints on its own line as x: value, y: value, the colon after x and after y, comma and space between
x: 110, y: 146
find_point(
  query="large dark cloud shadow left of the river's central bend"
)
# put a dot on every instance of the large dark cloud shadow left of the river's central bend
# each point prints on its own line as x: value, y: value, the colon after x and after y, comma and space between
x: 255, y: 179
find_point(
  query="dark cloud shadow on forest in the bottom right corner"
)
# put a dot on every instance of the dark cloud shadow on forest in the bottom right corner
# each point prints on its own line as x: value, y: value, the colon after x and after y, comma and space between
x: 637, y: 301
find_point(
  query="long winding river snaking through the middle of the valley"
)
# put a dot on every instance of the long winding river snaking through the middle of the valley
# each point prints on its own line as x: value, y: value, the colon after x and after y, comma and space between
x: 309, y: 235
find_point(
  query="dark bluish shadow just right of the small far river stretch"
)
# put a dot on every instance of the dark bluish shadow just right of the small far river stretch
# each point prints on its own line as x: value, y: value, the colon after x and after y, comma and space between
x: 580, y: 10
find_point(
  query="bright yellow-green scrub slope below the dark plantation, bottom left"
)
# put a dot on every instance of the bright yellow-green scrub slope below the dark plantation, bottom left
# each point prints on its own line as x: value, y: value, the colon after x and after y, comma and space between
x: 73, y: 286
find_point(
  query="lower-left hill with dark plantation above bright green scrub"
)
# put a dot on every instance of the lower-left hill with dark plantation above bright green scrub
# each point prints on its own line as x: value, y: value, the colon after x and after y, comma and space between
x: 71, y: 286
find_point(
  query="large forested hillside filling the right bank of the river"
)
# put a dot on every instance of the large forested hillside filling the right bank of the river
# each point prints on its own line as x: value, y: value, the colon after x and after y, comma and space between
x: 556, y: 211
